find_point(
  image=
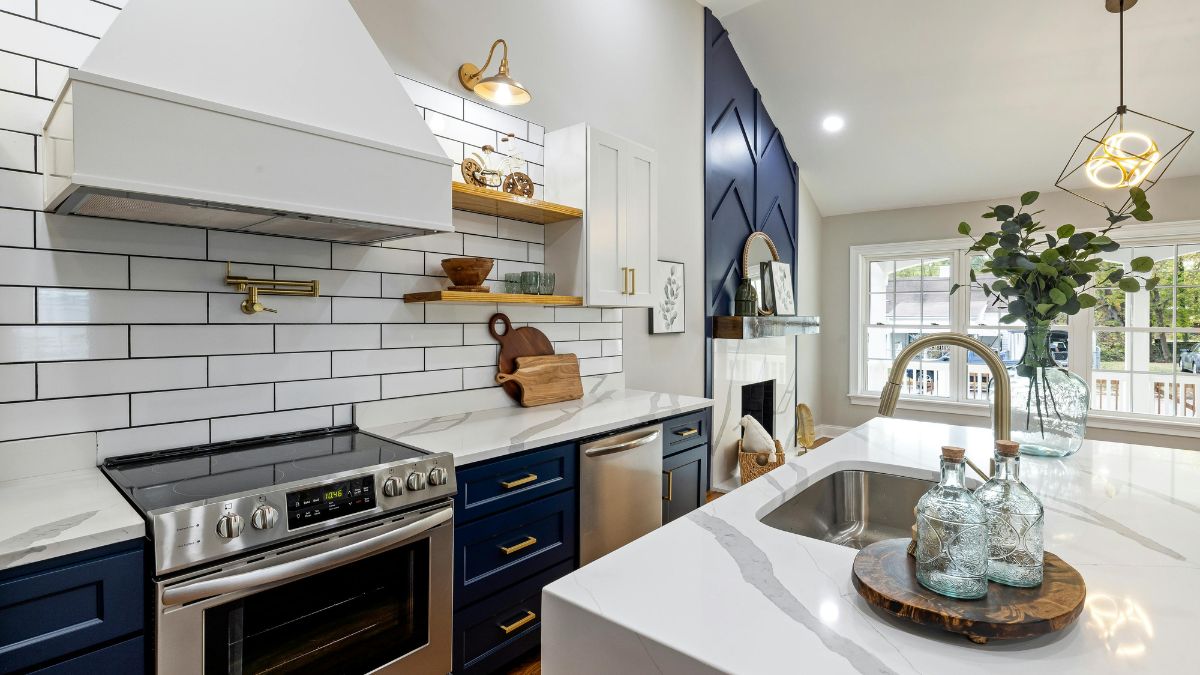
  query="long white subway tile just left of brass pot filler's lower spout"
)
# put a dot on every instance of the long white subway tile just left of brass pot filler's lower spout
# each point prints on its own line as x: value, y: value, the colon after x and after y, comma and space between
x: 81, y: 306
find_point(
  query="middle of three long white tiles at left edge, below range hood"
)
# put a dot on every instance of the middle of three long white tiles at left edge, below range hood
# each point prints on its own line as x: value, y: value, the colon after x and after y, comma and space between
x: 63, y: 343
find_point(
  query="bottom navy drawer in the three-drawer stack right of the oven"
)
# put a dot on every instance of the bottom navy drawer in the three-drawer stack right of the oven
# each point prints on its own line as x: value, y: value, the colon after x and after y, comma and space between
x: 501, y: 629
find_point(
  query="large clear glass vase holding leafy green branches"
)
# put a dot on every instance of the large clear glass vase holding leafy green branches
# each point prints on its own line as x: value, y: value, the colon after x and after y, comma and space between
x: 1049, y: 402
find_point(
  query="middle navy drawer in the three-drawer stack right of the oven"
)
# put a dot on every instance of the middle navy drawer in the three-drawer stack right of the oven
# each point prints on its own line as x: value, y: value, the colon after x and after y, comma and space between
x: 495, y: 553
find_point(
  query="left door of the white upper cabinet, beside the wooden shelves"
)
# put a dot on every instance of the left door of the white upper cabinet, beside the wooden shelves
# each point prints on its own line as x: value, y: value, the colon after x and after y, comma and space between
x: 608, y: 279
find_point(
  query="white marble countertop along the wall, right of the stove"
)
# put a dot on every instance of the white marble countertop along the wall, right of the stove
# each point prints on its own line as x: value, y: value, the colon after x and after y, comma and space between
x: 487, y: 434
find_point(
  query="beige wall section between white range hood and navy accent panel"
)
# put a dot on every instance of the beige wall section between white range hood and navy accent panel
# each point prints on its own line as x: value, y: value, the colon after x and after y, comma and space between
x: 628, y: 67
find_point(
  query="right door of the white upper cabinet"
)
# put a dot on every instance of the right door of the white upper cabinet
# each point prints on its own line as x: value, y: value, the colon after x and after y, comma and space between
x: 640, y: 231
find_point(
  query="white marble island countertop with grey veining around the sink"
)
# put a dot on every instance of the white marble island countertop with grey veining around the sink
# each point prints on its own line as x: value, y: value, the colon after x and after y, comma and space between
x: 718, y: 592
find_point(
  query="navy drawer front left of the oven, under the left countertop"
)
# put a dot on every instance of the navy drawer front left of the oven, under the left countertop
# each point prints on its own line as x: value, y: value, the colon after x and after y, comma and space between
x: 53, y: 612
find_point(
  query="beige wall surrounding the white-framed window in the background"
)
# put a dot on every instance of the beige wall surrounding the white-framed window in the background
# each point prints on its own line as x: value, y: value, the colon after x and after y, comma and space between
x: 1175, y: 200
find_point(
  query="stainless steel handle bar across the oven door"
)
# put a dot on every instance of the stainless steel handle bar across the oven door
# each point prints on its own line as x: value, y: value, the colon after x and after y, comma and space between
x: 305, y: 566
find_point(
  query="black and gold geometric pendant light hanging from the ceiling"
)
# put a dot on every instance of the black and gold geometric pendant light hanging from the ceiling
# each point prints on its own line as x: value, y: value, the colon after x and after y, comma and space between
x: 1127, y: 148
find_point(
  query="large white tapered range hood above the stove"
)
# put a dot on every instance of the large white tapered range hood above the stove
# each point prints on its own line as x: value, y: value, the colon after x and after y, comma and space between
x: 277, y: 117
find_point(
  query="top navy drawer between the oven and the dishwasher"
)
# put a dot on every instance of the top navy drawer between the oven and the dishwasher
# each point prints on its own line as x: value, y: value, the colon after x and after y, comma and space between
x: 491, y: 487
